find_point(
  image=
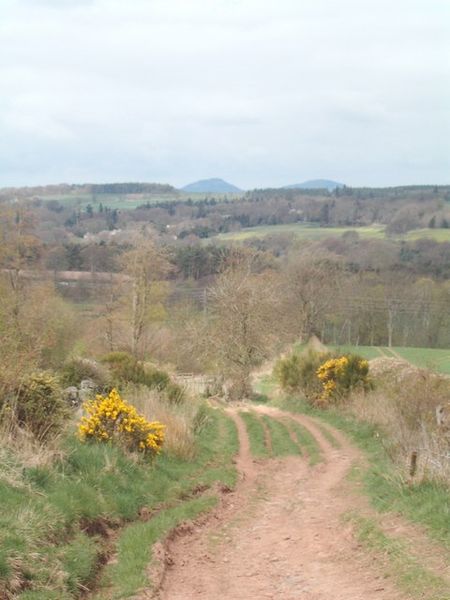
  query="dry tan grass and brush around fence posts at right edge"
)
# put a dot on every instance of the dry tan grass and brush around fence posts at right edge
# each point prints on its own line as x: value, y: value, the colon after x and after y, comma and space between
x: 413, y: 407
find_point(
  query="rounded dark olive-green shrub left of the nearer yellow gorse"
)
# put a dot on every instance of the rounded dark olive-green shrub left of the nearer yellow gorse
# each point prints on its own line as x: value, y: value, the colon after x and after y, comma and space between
x: 38, y: 405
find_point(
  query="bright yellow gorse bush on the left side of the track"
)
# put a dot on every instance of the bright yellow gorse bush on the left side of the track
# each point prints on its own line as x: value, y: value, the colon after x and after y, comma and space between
x: 111, y: 419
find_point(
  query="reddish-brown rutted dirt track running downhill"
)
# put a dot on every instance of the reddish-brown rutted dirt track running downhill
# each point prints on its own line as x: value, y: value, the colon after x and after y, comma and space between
x: 280, y: 535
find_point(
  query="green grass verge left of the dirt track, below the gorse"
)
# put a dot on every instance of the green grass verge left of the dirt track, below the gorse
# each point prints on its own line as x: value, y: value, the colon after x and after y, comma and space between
x: 57, y: 519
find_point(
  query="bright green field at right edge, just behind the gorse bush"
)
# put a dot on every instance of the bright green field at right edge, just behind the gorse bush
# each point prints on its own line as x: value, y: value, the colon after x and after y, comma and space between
x: 436, y: 359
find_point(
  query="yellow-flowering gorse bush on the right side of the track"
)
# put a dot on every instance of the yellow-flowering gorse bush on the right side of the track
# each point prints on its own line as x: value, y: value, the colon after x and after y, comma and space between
x: 339, y: 376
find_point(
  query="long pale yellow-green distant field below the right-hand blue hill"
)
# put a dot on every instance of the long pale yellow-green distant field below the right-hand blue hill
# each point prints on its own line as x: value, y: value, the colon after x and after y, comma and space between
x: 304, y: 231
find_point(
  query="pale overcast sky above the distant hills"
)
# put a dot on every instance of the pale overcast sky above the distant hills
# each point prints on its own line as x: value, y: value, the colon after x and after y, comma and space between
x: 259, y: 92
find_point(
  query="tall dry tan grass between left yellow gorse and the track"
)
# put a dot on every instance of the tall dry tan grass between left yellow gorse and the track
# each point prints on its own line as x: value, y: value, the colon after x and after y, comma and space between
x: 181, y: 420
